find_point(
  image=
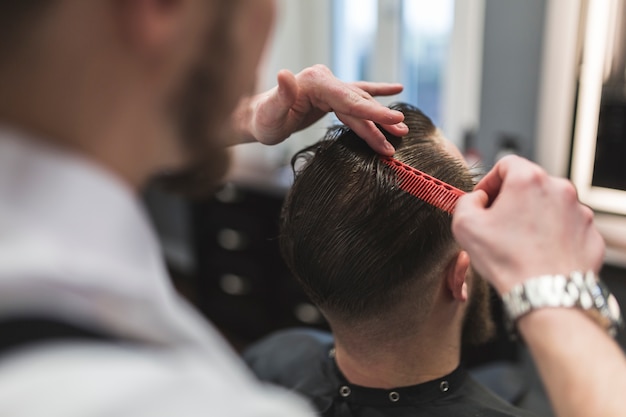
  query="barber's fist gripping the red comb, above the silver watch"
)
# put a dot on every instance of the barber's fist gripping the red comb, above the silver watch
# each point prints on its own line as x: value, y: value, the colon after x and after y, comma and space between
x: 519, y: 223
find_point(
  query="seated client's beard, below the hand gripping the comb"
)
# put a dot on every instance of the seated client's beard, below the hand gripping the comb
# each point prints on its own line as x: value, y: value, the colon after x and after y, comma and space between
x: 478, y: 326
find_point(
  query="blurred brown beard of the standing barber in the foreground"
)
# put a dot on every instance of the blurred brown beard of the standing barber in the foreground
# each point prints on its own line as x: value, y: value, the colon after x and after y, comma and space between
x: 203, y: 109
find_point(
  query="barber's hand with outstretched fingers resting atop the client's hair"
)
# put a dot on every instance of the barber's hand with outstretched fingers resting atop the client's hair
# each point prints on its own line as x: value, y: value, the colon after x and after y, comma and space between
x: 300, y: 100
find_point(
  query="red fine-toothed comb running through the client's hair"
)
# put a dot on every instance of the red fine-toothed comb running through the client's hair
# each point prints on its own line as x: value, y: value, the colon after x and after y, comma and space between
x: 421, y: 185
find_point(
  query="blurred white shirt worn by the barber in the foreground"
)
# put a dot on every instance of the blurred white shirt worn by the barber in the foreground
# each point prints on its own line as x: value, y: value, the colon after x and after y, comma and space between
x: 75, y: 244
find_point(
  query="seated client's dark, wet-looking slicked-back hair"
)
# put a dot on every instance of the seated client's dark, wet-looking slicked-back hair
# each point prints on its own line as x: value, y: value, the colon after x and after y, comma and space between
x: 351, y: 236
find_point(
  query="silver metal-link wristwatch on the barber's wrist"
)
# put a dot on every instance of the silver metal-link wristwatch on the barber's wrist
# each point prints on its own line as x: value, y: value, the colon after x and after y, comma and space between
x: 578, y: 290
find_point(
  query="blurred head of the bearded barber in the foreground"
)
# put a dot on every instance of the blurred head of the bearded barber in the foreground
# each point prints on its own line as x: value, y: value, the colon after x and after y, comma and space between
x: 162, y: 73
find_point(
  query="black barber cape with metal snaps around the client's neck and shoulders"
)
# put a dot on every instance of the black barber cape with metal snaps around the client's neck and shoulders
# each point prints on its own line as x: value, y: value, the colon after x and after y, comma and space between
x: 302, y: 360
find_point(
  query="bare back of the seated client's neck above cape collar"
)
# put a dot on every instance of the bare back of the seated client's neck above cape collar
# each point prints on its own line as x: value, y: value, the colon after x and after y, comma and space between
x: 398, y: 357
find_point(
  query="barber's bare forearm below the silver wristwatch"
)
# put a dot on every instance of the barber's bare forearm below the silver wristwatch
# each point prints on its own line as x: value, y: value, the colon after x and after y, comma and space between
x: 583, y: 369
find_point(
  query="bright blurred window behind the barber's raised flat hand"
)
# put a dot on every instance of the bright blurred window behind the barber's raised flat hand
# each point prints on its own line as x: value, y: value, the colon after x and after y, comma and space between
x: 395, y: 40
